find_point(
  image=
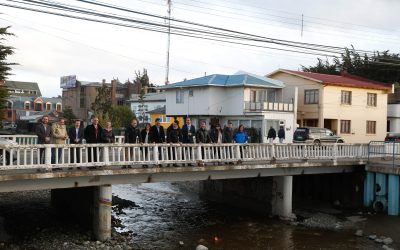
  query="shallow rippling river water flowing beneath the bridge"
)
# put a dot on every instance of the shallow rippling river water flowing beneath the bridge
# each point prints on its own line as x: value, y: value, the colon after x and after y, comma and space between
x: 168, y: 213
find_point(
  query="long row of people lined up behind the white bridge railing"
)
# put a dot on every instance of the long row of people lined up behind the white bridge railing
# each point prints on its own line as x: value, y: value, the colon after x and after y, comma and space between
x: 94, y: 133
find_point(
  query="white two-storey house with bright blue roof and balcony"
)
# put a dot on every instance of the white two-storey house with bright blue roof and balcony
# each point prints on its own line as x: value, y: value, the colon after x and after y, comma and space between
x: 256, y: 102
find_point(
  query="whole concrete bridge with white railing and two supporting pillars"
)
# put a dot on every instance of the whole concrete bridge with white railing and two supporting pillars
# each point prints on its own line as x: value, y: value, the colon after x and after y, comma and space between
x: 81, y: 178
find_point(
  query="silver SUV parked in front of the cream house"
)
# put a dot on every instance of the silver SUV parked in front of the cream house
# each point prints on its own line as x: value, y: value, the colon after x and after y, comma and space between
x: 315, y: 135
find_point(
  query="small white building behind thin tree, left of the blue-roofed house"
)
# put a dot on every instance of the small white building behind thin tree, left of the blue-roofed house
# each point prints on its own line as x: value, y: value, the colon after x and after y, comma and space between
x: 150, y: 102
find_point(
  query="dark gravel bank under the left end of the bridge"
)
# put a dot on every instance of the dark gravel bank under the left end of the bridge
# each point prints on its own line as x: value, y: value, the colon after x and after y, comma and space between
x: 27, y: 221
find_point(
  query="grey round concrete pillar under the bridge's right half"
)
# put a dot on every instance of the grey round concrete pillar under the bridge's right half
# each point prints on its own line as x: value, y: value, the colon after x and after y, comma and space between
x: 282, y: 196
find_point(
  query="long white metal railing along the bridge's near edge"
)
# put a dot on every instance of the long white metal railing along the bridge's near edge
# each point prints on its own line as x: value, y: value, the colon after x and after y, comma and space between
x: 137, y: 155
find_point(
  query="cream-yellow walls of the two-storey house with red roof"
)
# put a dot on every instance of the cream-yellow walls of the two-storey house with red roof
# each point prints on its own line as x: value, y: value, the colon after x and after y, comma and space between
x: 330, y: 107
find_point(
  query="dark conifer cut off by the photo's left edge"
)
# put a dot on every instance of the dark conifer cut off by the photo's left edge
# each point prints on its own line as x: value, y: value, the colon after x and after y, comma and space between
x: 5, y: 67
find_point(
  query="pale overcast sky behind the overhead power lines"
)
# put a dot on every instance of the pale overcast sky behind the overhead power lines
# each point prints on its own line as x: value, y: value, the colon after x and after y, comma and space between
x: 48, y: 47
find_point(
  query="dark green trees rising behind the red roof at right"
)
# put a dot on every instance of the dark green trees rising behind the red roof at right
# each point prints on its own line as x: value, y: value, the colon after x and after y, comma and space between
x: 381, y: 66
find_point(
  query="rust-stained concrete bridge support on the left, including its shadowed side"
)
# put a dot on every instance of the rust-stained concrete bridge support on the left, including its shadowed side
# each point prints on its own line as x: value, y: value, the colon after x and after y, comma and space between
x: 91, y: 206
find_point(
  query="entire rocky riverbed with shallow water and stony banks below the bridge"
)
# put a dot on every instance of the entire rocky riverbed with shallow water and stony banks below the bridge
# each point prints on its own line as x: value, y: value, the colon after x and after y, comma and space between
x: 165, y: 216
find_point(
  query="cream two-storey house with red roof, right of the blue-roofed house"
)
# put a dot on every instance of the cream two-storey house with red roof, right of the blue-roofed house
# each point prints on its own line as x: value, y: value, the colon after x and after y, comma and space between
x: 353, y: 107
